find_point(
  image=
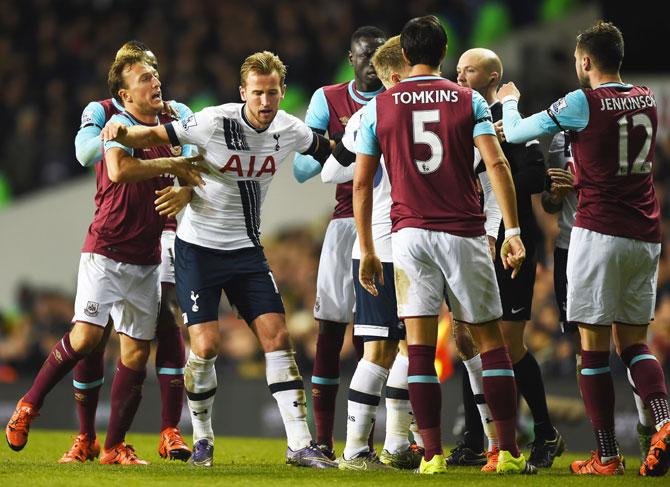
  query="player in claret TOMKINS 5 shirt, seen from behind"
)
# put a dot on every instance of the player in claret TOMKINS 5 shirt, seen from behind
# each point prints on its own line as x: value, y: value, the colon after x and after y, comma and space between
x: 427, y: 127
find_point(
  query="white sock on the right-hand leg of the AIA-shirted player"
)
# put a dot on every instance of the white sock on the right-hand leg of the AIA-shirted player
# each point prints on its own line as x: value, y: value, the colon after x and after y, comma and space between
x: 287, y: 388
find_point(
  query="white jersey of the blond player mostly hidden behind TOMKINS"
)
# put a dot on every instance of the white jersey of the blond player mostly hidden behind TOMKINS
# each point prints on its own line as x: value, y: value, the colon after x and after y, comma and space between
x: 381, y: 193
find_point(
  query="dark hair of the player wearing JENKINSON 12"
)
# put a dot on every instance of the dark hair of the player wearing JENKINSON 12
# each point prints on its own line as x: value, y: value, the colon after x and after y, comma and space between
x: 603, y: 42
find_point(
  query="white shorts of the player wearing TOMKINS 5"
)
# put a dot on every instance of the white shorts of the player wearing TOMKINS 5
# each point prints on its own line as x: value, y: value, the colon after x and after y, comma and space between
x: 429, y: 265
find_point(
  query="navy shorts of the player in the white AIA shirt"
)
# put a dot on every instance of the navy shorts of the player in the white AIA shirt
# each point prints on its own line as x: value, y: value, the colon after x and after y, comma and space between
x: 244, y: 275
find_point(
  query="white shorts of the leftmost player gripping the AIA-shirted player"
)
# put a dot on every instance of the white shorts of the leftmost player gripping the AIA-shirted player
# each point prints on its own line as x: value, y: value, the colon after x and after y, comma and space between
x: 129, y: 293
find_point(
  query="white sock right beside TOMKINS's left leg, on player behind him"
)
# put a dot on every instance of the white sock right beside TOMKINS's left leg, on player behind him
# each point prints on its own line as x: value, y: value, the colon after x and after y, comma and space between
x: 398, y: 407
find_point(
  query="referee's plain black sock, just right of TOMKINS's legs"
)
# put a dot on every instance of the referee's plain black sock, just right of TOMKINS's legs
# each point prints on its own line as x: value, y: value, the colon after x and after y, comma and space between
x: 529, y: 382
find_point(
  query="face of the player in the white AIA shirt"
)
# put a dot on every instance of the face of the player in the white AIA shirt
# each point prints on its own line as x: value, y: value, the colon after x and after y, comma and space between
x: 262, y: 94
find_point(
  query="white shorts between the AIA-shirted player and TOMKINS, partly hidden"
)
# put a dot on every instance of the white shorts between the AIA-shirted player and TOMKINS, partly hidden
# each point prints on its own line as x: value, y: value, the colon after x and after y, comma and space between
x: 334, y: 283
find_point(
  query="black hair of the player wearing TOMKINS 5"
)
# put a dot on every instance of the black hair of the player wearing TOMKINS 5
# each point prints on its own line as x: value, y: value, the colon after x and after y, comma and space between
x: 424, y: 41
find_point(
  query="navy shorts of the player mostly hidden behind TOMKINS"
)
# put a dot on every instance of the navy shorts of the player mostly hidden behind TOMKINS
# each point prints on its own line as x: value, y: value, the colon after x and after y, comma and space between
x: 376, y: 317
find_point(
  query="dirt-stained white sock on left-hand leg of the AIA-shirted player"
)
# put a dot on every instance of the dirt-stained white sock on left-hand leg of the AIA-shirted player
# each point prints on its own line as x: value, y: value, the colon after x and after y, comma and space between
x: 200, y: 385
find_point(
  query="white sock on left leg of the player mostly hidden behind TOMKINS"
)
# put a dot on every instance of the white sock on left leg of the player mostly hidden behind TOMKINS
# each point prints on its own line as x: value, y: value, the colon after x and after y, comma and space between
x: 364, y: 395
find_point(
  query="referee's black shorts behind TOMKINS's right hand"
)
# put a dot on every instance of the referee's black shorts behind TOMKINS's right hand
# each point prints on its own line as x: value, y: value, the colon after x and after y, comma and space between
x: 516, y: 295
